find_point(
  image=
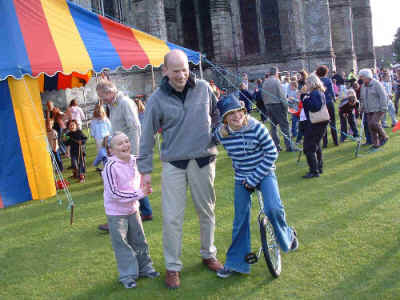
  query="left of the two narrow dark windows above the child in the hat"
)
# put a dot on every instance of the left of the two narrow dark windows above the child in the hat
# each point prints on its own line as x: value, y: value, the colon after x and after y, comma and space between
x: 248, y: 20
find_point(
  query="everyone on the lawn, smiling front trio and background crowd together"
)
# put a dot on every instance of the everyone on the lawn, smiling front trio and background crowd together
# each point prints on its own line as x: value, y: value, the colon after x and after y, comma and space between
x: 126, y: 136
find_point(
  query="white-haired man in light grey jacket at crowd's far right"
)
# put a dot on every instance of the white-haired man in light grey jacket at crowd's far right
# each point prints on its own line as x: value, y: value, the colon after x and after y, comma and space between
x: 374, y: 103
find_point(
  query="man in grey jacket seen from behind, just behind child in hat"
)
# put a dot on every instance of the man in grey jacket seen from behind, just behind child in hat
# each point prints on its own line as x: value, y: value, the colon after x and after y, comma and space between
x: 277, y: 109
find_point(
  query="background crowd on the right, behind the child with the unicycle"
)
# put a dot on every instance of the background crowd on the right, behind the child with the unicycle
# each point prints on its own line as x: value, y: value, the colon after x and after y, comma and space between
x: 366, y: 96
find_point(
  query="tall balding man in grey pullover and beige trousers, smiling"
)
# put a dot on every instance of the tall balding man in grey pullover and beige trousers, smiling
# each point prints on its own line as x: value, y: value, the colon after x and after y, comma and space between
x: 184, y: 108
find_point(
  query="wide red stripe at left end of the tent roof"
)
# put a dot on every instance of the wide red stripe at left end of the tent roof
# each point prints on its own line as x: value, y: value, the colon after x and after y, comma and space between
x: 38, y: 40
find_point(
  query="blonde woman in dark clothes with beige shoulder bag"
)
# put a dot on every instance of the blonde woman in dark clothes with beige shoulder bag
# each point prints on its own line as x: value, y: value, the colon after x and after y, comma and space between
x: 316, y: 118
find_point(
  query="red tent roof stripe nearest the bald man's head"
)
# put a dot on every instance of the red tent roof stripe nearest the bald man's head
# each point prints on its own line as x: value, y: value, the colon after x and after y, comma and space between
x: 125, y: 43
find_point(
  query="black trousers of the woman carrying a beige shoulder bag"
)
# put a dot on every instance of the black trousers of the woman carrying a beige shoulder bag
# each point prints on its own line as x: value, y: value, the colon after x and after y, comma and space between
x: 313, y: 134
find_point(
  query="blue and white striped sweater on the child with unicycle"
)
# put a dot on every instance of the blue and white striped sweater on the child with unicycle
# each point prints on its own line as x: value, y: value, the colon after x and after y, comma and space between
x: 252, y: 151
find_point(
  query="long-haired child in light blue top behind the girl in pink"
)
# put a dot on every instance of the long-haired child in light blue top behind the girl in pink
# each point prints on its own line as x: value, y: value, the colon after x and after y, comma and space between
x: 100, y: 126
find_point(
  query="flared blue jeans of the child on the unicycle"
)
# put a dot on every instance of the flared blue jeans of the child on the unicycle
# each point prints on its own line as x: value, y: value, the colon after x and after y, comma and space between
x: 241, y: 245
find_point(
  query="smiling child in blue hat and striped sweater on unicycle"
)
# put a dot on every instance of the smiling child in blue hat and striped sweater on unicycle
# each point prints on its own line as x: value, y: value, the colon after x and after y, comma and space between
x: 253, y: 155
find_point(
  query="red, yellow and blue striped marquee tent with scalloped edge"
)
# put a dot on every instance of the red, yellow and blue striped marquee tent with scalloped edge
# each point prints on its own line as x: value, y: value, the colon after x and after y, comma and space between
x: 50, y: 37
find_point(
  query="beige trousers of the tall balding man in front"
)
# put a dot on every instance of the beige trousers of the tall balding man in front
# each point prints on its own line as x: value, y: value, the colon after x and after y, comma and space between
x: 174, y: 186
